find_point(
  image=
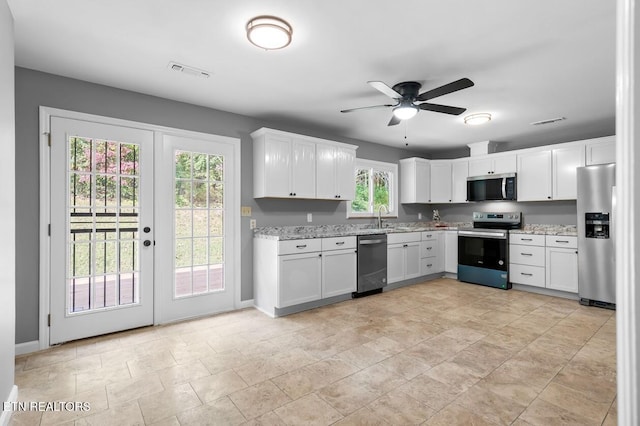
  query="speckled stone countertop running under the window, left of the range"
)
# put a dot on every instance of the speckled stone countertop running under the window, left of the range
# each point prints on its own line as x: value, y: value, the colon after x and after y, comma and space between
x: 327, y: 231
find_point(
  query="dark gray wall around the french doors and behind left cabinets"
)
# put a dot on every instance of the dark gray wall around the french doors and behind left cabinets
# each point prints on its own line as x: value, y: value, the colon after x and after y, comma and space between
x: 34, y: 89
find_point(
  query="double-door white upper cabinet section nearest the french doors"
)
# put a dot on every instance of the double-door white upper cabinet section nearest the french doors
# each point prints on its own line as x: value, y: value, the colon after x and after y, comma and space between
x: 284, y: 166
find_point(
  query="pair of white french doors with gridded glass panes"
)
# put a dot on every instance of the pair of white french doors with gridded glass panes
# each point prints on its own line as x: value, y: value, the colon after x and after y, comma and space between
x: 142, y: 227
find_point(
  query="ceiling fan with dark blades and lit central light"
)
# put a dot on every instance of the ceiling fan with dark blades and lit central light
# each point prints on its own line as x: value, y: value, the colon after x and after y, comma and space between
x: 407, y: 95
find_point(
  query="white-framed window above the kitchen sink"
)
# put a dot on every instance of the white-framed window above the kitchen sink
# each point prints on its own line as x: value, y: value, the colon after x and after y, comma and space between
x: 376, y: 188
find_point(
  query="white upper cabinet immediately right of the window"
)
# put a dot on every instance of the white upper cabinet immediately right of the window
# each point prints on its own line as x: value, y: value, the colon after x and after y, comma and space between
x: 415, y: 176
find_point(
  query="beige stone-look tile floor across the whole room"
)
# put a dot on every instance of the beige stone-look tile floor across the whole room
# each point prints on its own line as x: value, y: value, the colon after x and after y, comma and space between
x: 436, y: 353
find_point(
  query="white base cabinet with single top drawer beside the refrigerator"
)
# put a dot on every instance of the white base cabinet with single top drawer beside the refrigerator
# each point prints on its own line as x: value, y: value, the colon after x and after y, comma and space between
x: 562, y: 263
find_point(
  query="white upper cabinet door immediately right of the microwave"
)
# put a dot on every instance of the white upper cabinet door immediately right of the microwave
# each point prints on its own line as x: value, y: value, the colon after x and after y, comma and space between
x: 534, y: 176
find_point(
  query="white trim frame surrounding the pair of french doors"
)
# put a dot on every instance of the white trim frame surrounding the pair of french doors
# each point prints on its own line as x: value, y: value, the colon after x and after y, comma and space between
x: 45, y: 114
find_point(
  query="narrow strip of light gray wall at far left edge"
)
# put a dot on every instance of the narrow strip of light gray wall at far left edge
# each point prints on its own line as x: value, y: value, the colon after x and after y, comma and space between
x: 7, y: 212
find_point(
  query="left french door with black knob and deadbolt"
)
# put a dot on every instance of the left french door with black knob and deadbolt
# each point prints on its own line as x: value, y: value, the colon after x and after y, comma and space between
x: 101, y: 229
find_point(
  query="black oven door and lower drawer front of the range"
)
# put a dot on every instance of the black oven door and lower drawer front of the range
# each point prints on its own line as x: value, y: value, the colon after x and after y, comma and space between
x: 482, y: 259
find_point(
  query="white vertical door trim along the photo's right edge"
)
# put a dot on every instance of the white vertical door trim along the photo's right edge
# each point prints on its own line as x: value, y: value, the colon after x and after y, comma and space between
x: 627, y: 179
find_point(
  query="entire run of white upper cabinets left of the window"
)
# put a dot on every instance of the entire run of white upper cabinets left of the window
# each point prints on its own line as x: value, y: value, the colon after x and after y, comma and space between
x: 287, y: 165
